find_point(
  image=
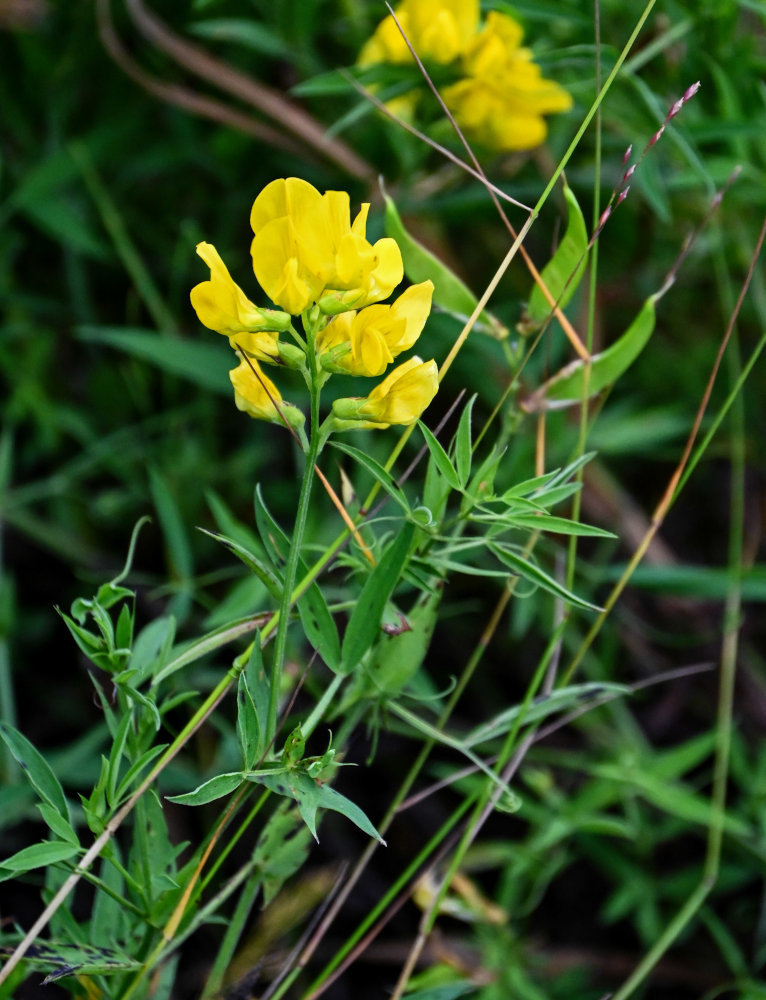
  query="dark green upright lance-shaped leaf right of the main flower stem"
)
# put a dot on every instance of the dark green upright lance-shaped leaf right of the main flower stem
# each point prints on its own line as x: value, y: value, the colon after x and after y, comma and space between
x: 364, y: 625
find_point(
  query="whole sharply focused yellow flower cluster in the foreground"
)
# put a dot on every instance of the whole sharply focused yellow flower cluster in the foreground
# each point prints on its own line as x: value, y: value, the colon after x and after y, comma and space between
x: 313, y: 261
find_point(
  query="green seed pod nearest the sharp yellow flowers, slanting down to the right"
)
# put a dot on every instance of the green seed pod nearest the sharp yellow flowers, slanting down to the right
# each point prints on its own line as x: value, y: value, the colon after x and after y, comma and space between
x: 450, y: 293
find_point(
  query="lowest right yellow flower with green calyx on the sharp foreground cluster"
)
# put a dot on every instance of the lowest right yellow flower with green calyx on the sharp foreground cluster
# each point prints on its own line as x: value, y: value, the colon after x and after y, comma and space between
x: 399, y: 399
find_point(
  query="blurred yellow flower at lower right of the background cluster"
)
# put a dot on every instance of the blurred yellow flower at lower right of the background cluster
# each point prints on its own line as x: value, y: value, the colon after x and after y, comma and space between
x: 504, y: 96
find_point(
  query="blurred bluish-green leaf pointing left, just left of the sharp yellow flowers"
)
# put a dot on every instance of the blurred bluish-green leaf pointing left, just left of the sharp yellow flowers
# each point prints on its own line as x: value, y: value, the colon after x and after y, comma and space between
x: 203, y: 362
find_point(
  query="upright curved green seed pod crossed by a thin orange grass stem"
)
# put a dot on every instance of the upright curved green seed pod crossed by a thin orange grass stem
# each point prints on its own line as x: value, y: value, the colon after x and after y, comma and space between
x: 563, y: 271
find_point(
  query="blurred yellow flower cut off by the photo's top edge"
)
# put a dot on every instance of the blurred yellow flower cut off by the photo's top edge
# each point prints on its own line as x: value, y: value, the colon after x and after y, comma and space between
x: 438, y: 30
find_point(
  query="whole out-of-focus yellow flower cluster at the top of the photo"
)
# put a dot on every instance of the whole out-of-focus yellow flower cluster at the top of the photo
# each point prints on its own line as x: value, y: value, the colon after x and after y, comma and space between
x: 501, y: 96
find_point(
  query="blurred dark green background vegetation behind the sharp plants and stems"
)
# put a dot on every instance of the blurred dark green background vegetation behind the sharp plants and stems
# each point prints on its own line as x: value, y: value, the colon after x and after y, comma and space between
x: 120, y: 151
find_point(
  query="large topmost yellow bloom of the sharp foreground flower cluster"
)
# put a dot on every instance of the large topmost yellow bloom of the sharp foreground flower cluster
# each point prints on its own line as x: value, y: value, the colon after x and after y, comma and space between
x: 306, y: 250
